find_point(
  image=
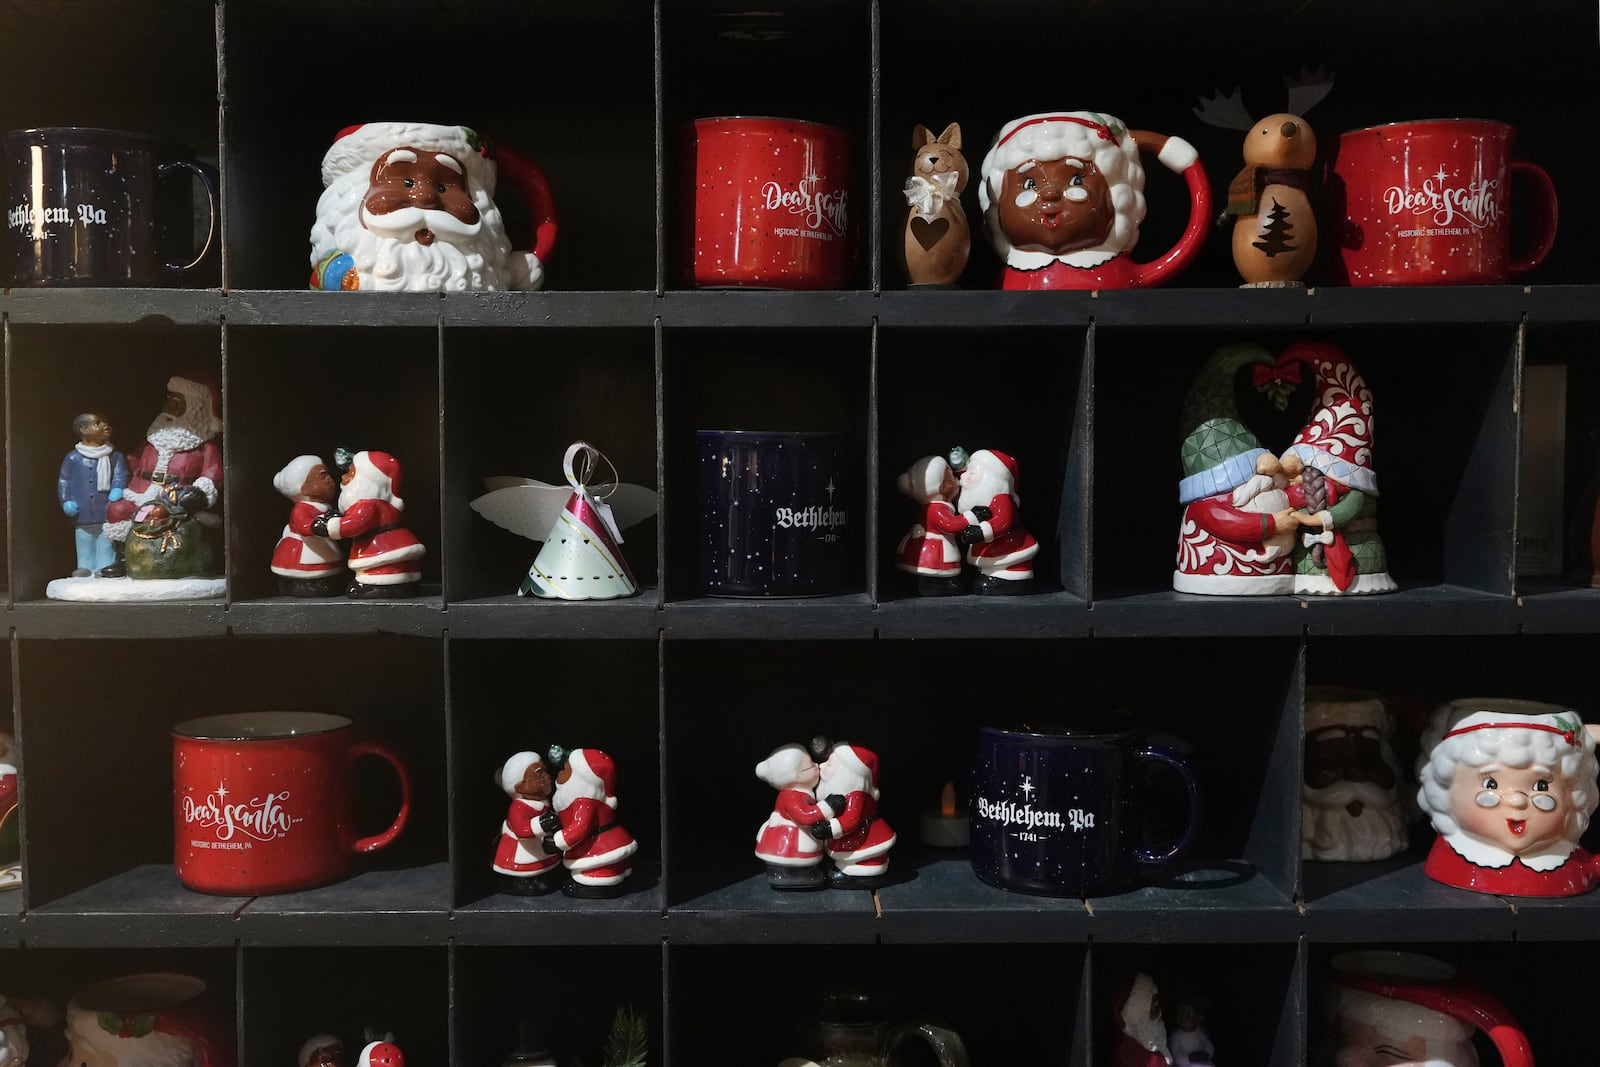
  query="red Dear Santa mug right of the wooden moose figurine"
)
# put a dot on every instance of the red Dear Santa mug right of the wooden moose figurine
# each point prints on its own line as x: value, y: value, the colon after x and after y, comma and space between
x: 1430, y: 204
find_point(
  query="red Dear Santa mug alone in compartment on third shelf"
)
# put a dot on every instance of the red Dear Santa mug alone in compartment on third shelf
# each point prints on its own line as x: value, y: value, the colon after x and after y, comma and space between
x: 263, y: 802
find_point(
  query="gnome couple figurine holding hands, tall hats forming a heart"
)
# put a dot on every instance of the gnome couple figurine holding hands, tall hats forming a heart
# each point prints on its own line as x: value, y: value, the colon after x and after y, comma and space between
x: 1303, y: 522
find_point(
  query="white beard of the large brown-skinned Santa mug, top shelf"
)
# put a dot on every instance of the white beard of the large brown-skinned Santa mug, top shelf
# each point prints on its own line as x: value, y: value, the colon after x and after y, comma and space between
x: 388, y: 257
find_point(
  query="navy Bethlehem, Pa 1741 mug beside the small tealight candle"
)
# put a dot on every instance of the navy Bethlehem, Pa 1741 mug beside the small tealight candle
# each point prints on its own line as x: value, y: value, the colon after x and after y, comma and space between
x: 1062, y: 812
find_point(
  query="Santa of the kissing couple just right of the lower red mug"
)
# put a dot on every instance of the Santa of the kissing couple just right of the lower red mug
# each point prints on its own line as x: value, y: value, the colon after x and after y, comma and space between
x: 596, y: 849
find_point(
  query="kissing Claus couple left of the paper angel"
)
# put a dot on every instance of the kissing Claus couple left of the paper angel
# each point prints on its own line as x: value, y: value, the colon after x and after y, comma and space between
x: 362, y: 510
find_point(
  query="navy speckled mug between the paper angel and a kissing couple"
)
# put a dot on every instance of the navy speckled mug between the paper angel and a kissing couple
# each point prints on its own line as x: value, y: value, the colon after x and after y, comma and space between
x: 777, y: 513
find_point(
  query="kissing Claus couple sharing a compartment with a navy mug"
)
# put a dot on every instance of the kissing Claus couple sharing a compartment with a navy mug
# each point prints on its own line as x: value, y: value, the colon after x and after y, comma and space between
x: 825, y: 810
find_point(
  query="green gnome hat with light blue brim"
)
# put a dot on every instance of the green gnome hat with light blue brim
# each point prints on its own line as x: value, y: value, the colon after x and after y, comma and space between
x: 1220, y: 452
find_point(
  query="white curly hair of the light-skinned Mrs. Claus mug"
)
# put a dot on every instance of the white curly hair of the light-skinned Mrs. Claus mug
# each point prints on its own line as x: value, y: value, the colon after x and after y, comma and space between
x: 1513, y: 748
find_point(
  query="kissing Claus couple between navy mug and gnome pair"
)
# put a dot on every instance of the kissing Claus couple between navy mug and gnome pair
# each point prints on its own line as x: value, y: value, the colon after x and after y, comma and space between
x: 969, y: 505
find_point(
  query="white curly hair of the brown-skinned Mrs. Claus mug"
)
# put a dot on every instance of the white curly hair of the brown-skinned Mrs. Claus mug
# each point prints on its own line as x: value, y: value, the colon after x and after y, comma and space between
x: 1079, y: 135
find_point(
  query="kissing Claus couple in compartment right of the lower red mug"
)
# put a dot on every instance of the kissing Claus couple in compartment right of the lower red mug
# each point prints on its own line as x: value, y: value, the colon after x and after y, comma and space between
x: 562, y: 817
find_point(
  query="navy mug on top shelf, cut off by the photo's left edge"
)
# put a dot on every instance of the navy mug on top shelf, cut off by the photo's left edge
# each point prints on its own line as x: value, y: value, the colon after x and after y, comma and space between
x: 105, y: 207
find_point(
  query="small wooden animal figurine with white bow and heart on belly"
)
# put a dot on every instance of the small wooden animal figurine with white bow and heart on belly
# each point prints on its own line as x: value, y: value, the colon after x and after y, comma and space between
x: 938, y: 239
